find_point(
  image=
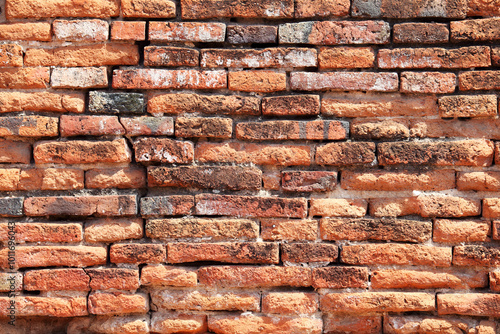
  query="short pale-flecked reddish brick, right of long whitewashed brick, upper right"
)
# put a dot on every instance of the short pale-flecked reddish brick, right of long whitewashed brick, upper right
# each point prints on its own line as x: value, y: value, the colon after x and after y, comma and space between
x: 428, y: 82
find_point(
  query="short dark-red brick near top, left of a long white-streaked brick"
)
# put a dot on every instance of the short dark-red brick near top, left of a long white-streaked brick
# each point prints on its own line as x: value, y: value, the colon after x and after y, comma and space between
x: 170, y: 56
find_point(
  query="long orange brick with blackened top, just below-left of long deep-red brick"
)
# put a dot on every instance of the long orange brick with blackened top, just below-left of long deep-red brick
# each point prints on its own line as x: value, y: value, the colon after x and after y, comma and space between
x: 202, y: 229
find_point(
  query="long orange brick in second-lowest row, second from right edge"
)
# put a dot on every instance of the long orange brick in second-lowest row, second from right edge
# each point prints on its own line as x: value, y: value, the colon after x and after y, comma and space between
x: 377, y: 302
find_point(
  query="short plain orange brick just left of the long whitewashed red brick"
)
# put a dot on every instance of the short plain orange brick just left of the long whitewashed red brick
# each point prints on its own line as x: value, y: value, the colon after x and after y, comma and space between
x: 257, y: 81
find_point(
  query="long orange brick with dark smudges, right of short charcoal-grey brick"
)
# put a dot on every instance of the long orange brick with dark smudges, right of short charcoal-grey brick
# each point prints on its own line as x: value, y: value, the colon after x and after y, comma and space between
x: 206, y: 104
